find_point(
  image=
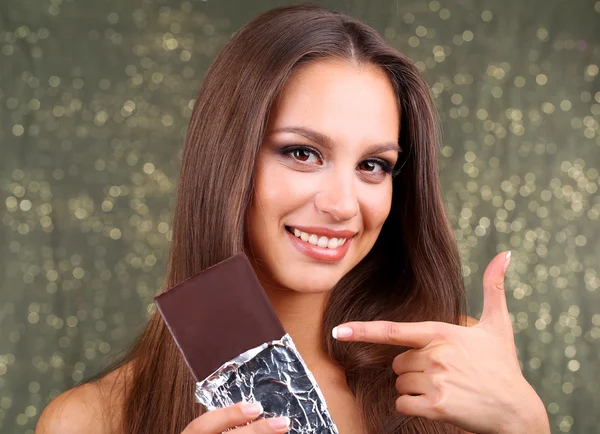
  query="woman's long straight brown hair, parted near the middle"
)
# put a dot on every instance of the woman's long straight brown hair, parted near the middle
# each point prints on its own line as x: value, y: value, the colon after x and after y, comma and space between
x: 411, y: 274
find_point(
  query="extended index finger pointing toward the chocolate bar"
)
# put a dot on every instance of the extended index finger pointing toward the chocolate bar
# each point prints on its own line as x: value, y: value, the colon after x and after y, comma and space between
x: 409, y: 334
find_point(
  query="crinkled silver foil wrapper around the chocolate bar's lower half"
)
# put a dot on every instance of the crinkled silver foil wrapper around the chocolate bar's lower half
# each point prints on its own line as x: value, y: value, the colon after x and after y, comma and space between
x: 275, y: 375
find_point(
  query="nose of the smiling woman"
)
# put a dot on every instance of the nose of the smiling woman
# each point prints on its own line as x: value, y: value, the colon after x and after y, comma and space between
x: 337, y: 197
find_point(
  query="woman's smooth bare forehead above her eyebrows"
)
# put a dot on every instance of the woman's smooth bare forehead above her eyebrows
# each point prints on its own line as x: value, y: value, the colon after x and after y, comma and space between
x: 337, y: 95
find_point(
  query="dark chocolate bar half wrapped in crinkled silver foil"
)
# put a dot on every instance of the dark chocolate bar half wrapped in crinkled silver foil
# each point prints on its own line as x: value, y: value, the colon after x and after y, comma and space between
x: 237, y: 349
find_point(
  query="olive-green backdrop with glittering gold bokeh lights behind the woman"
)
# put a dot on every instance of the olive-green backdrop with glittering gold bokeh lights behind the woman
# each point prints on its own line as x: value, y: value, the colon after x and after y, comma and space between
x: 95, y: 98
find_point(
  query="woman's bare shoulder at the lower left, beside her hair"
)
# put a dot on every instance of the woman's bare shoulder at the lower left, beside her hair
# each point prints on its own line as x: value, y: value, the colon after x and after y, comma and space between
x: 93, y: 408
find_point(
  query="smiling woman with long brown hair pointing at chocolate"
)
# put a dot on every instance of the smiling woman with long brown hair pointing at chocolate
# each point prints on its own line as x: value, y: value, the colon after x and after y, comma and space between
x: 312, y: 147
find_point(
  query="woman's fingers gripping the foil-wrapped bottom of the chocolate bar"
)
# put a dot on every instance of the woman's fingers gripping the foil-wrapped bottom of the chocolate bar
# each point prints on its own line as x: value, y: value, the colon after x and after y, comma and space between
x: 219, y: 420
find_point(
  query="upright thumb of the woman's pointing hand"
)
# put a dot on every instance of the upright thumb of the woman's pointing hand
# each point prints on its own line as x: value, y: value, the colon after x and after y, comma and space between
x: 495, y: 310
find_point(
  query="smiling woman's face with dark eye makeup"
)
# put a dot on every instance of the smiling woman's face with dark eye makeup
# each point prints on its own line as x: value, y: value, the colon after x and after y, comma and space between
x: 322, y: 184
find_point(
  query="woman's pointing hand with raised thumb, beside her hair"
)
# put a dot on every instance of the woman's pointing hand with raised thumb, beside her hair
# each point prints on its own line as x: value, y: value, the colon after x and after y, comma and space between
x: 467, y: 376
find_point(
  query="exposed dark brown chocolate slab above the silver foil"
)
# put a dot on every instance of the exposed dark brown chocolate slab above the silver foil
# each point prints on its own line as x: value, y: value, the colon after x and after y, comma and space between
x: 219, y: 314
